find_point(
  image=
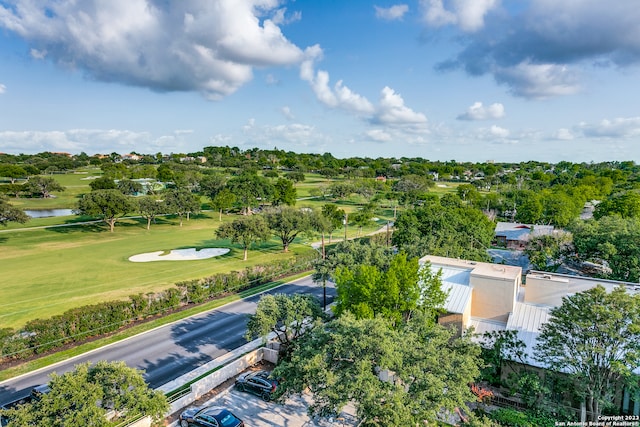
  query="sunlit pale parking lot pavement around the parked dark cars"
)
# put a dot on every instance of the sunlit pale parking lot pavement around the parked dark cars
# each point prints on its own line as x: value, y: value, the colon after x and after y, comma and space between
x: 293, y: 413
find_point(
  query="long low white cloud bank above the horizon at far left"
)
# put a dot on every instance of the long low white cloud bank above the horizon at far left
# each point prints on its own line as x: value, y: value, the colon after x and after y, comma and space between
x: 90, y: 141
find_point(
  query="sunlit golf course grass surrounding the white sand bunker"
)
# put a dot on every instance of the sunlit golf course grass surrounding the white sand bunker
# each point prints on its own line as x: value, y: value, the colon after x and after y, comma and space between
x: 47, y: 271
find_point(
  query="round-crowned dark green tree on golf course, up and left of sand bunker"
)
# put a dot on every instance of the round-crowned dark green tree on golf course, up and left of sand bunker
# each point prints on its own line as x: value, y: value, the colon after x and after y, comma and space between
x: 108, y: 205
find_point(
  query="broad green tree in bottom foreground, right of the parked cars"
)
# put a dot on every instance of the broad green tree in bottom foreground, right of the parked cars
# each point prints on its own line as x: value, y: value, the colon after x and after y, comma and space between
x: 343, y: 361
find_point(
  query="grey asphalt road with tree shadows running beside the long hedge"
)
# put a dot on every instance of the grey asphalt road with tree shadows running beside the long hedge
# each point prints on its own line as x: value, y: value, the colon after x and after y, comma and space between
x: 170, y: 351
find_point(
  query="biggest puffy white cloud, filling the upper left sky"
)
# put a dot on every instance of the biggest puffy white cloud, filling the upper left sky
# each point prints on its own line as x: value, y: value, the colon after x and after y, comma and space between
x: 210, y: 47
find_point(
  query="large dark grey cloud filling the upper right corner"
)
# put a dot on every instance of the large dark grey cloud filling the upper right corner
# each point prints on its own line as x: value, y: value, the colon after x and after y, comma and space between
x: 530, y: 47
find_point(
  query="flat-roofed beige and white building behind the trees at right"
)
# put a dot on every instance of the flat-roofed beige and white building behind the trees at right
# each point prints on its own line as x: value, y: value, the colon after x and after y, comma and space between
x: 491, y: 297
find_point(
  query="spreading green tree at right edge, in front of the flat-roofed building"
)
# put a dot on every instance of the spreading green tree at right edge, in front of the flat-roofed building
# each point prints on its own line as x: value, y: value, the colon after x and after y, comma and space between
x: 594, y: 336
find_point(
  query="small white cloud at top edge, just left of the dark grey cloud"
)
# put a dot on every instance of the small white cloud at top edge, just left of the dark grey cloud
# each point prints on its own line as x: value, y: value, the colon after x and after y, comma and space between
x: 467, y: 14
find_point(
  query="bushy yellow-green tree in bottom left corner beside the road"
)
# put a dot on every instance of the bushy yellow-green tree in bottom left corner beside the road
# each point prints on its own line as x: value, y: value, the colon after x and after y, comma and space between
x: 84, y: 396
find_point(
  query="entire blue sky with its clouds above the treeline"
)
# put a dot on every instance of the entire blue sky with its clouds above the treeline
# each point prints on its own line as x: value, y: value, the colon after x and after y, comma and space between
x: 468, y: 80
